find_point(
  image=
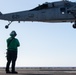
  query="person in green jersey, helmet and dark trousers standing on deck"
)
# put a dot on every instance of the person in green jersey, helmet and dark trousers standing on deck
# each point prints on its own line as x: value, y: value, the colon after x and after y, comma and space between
x: 12, y: 50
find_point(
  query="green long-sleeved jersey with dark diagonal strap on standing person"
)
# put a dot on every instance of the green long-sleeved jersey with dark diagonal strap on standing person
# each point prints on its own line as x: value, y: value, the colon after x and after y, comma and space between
x: 12, y: 44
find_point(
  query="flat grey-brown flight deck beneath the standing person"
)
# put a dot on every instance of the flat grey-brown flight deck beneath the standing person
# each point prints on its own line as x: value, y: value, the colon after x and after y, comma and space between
x: 42, y: 71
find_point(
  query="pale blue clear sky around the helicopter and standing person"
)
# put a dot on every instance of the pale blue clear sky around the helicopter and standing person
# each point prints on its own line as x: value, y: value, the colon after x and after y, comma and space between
x: 41, y: 44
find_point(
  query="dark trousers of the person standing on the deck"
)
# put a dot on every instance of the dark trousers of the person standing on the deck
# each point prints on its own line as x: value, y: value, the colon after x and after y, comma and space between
x: 11, y: 57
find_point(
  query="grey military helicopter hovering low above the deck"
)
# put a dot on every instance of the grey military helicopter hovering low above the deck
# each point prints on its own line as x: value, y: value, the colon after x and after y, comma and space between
x: 59, y: 11
